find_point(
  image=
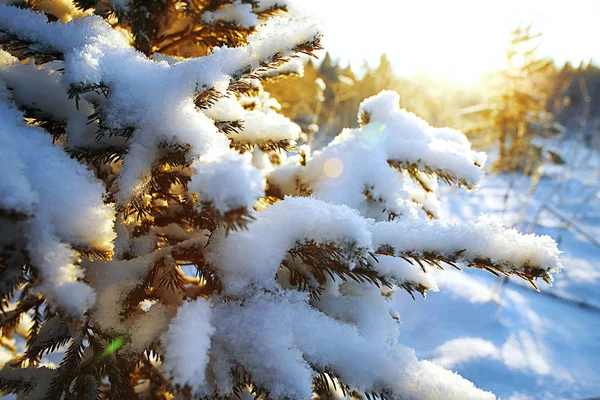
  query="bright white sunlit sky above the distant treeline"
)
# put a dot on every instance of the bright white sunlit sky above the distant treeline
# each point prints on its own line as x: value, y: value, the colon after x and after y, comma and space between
x: 455, y: 40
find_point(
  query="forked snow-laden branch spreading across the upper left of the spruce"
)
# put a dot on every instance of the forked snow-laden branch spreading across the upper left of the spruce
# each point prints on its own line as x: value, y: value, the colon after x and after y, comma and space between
x: 152, y: 101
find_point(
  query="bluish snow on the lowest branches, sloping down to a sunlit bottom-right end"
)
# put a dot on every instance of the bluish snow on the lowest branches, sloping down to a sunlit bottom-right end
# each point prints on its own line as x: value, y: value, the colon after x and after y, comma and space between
x: 278, y: 336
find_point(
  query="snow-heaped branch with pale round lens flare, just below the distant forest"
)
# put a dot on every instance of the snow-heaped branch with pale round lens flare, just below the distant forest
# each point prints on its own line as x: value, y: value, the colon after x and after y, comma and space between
x: 359, y: 167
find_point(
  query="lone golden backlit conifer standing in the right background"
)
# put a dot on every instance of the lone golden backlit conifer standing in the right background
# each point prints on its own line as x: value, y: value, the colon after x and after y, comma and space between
x: 517, y: 111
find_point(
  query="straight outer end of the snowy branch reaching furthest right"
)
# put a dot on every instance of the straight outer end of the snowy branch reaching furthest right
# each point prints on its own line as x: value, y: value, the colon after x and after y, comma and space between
x: 485, y: 244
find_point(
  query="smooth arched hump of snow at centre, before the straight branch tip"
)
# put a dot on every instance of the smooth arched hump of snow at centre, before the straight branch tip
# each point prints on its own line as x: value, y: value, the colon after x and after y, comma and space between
x: 250, y: 258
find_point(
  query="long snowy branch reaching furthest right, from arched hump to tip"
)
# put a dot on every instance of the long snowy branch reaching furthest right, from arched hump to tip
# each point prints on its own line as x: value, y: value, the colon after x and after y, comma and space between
x: 248, y: 260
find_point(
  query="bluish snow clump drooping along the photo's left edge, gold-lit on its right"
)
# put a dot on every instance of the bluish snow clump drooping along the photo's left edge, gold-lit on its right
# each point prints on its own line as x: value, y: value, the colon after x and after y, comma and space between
x: 62, y: 202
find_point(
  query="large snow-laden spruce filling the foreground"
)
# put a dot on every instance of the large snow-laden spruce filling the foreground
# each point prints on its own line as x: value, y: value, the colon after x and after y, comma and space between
x: 160, y: 226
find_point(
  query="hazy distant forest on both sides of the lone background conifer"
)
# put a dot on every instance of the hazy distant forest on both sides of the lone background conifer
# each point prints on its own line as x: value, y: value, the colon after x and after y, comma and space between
x: 328, y: 96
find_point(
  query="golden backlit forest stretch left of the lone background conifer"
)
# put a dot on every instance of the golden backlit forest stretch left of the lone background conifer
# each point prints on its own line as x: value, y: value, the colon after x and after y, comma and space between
x: 328, y: 95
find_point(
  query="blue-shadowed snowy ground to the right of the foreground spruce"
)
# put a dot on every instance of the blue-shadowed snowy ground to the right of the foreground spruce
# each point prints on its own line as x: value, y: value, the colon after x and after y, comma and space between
x: 522, y: 344
